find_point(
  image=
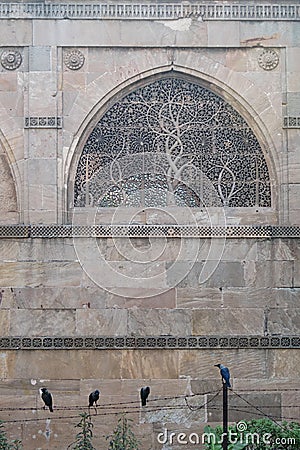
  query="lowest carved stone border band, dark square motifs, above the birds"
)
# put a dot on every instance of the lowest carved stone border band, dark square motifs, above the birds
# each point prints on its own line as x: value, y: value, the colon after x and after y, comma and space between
x: 148, y: 342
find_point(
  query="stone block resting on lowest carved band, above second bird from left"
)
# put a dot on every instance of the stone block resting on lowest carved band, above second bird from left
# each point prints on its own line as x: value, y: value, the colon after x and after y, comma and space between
x: 110, y: 322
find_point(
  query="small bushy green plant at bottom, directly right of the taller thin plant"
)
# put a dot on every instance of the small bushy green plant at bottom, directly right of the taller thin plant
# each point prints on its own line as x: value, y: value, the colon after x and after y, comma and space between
x: 123, y: 437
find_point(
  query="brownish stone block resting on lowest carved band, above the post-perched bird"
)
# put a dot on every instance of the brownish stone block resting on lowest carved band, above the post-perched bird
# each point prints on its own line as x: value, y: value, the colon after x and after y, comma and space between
x: 228, y: 321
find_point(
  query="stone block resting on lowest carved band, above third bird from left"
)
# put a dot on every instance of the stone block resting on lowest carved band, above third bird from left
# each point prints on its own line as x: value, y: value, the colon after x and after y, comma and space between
x: 159, y: 322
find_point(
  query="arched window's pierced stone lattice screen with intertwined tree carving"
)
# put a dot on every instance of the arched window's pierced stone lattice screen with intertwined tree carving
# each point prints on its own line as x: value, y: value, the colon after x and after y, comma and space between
x: 172, y: 142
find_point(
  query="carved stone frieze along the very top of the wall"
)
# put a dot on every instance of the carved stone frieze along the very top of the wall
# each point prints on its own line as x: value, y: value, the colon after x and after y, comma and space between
x: 288, y: 10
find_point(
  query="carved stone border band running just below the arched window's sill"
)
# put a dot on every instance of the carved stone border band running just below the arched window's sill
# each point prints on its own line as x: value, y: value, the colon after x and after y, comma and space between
x: 139, y: 231
